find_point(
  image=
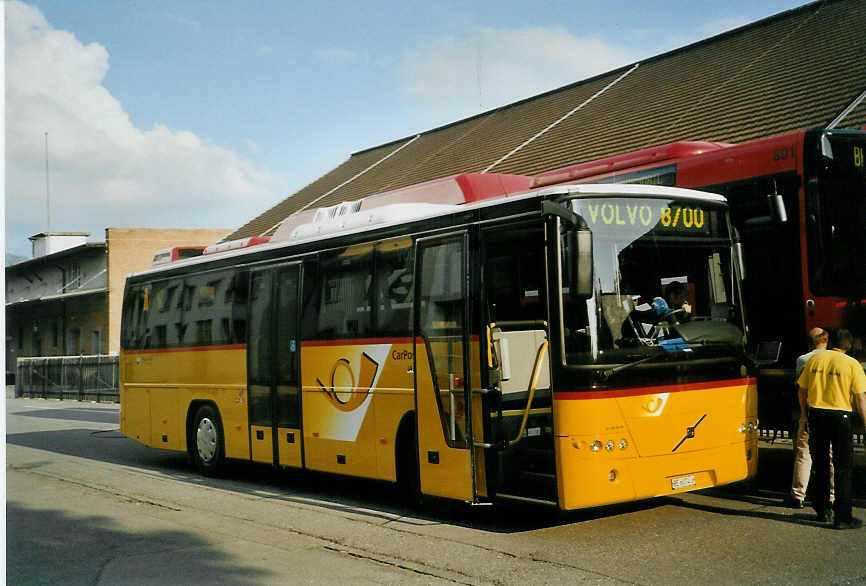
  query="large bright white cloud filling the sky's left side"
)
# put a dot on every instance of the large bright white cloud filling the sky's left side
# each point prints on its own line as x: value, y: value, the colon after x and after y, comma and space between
x: 103, y: 170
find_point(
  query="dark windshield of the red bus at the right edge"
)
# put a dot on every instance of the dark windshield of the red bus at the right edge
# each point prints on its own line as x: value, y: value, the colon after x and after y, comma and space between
x: 836, y: 216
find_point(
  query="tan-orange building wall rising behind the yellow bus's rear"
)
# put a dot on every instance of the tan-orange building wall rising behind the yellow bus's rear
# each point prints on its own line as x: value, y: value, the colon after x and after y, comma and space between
x: 131, y: 250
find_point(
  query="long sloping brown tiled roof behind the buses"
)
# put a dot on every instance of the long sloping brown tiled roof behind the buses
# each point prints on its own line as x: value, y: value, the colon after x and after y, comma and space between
x: 795, y: 70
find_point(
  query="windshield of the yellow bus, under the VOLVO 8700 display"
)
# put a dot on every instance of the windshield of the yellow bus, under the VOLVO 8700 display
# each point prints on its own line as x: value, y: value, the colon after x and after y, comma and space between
x: 664, y: 283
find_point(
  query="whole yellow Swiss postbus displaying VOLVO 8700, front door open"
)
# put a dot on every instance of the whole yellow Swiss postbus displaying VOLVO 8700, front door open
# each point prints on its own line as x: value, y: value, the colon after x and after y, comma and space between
x: 490, y: 347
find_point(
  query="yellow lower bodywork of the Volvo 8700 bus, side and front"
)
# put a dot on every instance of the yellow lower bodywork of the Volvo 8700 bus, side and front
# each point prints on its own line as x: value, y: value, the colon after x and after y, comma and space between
x: 351, y: 416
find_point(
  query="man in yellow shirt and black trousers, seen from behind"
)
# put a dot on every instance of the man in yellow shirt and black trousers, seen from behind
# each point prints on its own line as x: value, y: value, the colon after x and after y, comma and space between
x: 831, y: 384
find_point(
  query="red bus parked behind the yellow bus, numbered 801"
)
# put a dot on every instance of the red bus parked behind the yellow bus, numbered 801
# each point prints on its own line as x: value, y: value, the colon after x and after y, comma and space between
x: 803, y: 268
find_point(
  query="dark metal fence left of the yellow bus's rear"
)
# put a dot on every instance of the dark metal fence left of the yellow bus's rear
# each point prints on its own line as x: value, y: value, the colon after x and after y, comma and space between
x: 85, y: 378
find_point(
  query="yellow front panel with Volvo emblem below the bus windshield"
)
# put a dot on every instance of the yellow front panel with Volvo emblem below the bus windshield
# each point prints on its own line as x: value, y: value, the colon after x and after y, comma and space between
x: 643, y: 443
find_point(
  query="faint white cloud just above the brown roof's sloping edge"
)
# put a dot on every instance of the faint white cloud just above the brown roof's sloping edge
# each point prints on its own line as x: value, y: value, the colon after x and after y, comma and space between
x: 492, y: 67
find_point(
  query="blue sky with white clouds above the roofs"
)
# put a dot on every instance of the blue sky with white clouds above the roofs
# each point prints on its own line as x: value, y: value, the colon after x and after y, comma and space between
x: 203, y: 114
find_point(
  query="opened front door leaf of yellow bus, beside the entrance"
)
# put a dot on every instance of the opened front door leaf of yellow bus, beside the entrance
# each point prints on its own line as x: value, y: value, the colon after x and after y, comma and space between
x: 442, y: 377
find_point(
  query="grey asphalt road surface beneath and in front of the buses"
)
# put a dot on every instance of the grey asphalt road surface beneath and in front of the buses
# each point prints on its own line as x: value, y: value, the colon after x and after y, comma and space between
x: 87, y: 506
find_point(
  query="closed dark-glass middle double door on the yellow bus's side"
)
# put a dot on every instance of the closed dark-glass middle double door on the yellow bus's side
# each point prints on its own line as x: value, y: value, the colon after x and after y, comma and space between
x: 273, y: 351
